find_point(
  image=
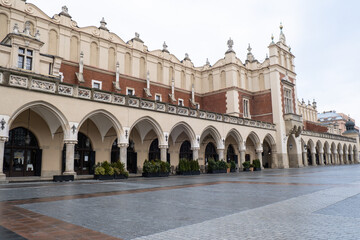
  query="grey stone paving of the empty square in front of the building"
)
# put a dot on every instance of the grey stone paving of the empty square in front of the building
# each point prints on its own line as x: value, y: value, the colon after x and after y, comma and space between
x: 306, y: 203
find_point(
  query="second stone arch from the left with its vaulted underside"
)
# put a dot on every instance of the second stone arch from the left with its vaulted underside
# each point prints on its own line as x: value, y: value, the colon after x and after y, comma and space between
x: 104, y: 121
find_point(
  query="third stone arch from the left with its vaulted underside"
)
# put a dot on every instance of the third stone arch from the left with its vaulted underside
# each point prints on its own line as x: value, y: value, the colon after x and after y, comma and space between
x: 144, y: 125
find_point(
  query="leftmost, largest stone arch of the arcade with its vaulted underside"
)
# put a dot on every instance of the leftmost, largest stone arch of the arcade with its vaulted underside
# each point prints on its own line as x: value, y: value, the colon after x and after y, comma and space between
x: 52, y: 116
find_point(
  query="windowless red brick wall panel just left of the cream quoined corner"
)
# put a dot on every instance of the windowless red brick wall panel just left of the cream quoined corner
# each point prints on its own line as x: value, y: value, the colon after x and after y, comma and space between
x: 214, y: 102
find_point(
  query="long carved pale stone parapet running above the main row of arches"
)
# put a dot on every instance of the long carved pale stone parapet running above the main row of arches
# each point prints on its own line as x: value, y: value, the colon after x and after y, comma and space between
x: 63, y: 89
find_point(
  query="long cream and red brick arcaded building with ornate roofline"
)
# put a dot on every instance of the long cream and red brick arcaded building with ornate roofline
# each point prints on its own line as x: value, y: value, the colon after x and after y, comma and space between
x: 73, y: 96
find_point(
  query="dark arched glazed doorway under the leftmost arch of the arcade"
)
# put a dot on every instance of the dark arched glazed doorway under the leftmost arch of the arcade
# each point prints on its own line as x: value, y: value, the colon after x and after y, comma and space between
x: 22, y: 155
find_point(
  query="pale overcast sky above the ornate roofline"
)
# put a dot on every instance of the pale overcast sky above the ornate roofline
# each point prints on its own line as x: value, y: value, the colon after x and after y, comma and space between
x: 324, y: 35
